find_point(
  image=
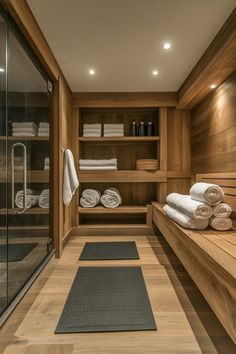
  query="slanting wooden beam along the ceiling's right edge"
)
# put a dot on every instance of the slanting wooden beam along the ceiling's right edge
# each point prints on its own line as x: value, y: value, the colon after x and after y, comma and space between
x: 215, y: 65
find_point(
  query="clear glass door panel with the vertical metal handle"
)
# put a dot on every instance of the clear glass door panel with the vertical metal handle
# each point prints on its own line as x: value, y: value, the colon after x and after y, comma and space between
x: 29, y: 149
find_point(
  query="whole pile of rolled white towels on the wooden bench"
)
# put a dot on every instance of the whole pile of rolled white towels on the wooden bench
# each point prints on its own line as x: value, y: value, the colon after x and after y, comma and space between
x: 202, y: 207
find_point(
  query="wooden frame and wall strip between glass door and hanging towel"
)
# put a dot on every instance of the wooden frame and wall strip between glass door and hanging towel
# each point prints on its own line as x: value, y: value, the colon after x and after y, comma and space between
x: 62, y: 103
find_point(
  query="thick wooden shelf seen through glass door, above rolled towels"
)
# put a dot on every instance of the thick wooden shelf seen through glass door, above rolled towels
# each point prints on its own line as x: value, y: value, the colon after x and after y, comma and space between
x: 36, y: 176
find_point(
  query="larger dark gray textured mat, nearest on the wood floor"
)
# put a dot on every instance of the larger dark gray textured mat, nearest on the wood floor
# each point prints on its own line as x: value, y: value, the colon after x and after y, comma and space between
x: 107, y: 299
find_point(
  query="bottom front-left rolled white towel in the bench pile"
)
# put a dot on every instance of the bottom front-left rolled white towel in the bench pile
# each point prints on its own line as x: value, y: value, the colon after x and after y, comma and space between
x: 184, y: 220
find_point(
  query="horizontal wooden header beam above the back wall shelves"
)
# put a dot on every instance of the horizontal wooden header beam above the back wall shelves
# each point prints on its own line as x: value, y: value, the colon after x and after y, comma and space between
x: 124, y: 99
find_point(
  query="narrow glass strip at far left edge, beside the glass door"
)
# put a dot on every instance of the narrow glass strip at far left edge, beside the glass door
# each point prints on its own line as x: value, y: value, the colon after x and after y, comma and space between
x: 3, y: 169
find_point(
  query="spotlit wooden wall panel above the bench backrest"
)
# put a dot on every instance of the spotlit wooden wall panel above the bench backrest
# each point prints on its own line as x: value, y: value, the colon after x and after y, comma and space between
x: 213, y: 130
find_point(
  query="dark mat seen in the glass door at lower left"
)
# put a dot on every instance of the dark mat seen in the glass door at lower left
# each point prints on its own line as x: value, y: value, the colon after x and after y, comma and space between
x: 16, y: 252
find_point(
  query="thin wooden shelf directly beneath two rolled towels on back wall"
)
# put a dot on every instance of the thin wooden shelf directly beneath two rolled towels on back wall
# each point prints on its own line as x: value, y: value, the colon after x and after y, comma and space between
x: 132, y: 209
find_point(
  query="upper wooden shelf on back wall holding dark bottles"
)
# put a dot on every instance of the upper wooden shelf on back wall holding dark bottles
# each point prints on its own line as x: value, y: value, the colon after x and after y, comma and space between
x: 125, y: 139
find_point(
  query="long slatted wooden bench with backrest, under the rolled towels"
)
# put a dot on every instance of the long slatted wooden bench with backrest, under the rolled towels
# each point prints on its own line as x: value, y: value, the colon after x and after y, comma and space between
x: 209, y: 256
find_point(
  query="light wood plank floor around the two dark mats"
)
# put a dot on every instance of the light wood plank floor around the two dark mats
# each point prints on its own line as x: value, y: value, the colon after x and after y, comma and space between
x: 184, y: 320
